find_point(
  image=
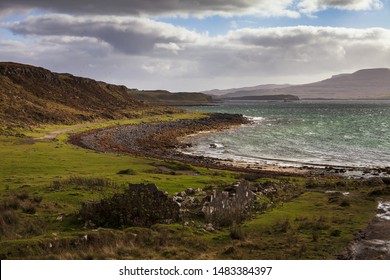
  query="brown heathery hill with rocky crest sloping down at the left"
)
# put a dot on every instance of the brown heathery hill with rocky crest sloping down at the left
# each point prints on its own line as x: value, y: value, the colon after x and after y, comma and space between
x: 32, y: 95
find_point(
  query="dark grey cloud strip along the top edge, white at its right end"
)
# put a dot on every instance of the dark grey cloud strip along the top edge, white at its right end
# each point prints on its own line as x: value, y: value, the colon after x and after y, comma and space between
x: 152, y: 7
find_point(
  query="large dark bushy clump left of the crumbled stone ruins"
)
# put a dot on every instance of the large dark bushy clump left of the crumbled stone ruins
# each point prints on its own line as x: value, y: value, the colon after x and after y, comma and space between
x: 139, y: 205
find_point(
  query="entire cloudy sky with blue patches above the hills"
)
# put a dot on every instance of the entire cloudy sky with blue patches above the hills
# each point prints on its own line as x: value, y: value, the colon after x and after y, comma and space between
x: 195, y: 45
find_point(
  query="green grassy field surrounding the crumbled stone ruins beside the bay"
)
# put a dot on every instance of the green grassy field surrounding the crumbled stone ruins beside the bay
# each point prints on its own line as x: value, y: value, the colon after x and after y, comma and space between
x: 43, y: 184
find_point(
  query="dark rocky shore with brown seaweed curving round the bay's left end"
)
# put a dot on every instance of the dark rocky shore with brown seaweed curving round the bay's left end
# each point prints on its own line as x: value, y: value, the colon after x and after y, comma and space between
x: 163, y: 140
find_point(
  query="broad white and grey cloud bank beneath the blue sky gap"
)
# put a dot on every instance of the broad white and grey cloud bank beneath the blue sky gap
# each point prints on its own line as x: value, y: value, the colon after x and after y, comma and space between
x: 146, y: 53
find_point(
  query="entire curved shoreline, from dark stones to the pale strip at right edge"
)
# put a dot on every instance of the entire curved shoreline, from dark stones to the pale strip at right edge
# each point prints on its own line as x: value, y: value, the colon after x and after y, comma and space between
x: 168, y: 141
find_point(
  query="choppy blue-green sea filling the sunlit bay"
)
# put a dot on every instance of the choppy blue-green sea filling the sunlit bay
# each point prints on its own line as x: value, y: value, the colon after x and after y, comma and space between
x: 340, y: 133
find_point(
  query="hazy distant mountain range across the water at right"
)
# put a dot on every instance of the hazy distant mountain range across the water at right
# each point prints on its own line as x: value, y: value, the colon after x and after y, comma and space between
x: 363, y: 84
